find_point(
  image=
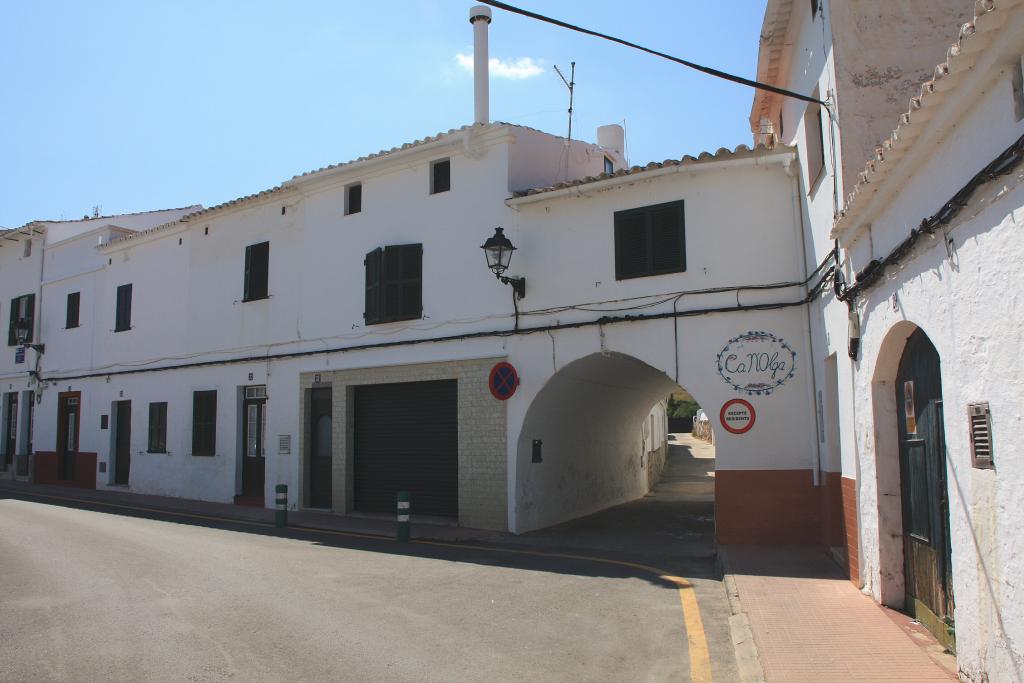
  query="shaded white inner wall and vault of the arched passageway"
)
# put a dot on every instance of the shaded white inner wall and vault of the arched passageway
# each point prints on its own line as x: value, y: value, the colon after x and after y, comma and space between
x: 588, y: 440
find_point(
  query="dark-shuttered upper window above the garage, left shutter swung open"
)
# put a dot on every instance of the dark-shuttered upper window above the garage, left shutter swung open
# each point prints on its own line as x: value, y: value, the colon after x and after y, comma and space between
x: 395, y: 284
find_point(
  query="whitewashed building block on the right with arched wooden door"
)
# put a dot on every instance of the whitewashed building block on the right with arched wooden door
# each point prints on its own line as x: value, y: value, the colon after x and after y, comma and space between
x: 916, y: 350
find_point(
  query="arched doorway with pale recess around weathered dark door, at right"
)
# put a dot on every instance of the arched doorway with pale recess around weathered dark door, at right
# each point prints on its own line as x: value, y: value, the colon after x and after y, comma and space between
x: 911, y: 468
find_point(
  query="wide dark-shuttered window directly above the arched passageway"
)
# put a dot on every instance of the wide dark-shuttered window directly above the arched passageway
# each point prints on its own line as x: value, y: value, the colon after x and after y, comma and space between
x: 651, y: 241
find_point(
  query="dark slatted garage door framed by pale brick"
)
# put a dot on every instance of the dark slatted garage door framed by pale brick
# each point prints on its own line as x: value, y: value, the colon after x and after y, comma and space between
x: 407, y: 439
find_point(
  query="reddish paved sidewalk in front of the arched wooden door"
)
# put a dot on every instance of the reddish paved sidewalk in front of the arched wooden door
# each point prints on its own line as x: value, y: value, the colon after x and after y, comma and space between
x: 812, y: 624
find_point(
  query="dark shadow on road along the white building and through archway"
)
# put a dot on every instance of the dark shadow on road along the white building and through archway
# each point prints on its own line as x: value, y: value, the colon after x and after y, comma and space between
x: 671, y: 530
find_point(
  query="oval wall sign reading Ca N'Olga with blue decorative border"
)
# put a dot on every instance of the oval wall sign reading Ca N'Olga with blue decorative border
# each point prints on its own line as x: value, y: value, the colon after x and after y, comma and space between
x: 757, y: 363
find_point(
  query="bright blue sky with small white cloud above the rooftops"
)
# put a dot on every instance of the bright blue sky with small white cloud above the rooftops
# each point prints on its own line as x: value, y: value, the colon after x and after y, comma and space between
x: 140, y: 106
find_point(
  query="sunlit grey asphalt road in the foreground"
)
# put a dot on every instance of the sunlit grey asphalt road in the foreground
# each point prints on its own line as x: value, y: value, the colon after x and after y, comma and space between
x: 92, y: 596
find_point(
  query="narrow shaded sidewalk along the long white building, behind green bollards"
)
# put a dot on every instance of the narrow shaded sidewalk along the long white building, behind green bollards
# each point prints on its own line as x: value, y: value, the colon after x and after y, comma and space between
x: 378, y: 526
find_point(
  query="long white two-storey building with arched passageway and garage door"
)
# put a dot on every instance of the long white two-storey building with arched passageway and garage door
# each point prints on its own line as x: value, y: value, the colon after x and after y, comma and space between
x: 337, y: 334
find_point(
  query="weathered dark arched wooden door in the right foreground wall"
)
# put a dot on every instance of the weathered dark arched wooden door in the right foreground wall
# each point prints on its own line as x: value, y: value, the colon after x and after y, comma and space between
x: 923, y: 487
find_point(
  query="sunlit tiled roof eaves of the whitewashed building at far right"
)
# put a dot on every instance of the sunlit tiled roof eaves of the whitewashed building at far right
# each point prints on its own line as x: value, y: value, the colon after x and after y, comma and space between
x: 961, y: 58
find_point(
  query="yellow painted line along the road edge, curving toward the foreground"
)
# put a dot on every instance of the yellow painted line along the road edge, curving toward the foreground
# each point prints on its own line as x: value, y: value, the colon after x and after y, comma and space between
x: 696, y: 638
